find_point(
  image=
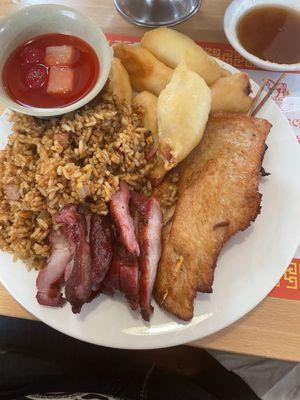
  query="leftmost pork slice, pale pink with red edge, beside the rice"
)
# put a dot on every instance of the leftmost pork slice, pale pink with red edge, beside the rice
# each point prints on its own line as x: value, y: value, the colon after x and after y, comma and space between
x: 50, y: 279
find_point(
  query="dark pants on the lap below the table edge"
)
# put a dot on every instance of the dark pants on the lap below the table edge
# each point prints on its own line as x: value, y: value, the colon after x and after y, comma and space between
x: 36, y: 359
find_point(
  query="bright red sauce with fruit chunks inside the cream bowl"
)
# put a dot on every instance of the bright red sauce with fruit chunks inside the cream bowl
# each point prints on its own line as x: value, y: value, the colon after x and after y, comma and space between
x: 49, y: 71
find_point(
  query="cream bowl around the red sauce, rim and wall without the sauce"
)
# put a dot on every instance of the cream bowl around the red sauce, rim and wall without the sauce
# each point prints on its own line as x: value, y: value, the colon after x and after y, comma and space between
x: 22, y: 25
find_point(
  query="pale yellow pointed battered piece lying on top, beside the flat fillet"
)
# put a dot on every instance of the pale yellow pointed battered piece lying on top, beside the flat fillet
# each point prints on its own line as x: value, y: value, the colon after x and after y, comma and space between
x: 182, y: 109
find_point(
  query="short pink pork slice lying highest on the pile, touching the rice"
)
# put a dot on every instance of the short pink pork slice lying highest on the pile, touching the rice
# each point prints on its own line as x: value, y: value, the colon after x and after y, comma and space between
x: 119, y: 208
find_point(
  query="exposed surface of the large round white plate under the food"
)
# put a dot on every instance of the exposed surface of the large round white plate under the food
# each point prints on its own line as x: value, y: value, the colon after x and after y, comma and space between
x: 250, y: 265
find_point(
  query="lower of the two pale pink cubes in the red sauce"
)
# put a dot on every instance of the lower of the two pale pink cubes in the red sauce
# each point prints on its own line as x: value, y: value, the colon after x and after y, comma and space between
x: 60, y: 80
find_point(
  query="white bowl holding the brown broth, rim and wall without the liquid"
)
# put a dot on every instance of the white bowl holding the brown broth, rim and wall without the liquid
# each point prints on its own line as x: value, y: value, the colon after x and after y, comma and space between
x: 235, y: 10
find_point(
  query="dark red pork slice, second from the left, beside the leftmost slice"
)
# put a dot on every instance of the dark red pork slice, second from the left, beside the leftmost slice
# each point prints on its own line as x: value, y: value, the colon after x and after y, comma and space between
x: 78, y: 286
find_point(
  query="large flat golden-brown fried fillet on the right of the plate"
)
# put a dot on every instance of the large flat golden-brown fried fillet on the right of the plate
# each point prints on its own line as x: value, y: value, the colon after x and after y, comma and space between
x: 217, y: 197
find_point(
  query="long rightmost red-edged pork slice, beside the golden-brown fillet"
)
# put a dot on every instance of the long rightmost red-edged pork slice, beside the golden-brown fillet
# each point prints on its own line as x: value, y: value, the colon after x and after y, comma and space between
x: 149, y: 219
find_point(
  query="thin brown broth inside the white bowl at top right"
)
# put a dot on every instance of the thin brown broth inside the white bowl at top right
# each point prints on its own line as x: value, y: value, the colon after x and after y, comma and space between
x: 271, y: 33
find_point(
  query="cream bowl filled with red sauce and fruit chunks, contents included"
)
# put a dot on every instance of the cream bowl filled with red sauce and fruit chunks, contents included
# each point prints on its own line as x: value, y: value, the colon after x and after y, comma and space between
x: 53, y: 60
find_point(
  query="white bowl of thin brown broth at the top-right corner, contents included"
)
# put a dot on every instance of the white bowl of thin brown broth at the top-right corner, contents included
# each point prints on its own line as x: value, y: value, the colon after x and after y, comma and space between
x: 266, y: 33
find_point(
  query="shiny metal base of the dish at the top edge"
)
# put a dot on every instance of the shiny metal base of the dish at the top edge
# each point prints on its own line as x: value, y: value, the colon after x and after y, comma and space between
x: 153, y: 13
